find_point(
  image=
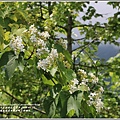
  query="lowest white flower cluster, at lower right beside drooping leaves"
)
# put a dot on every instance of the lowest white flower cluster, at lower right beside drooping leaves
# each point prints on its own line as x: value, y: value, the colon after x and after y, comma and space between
x: 95, y: 99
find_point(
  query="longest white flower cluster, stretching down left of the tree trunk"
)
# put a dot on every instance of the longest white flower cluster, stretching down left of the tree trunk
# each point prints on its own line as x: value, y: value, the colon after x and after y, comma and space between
x: 39, y: 39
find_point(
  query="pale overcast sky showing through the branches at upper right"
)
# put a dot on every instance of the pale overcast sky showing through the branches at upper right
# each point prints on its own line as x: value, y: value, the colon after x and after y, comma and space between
x: 102, y: 8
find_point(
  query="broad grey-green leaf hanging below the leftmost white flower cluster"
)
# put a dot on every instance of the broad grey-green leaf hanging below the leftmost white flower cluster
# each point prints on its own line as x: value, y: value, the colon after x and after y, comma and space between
x: 10, y: 67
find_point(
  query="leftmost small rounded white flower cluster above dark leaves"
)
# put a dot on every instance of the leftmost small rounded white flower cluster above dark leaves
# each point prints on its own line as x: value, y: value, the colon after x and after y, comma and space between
x: 17, y: 44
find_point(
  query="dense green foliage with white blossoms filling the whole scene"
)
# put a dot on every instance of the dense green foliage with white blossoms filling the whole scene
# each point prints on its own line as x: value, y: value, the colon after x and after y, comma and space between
x: 38, y: 68
